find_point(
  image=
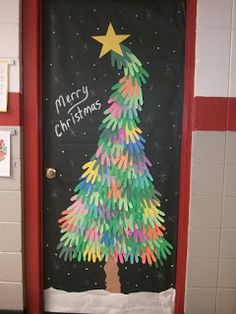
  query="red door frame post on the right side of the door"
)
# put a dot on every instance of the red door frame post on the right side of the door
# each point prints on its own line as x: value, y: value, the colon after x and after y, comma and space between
x: 186, y: 155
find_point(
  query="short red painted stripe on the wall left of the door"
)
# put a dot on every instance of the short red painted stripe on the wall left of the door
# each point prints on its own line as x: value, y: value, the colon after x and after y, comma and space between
x: 12, y: 116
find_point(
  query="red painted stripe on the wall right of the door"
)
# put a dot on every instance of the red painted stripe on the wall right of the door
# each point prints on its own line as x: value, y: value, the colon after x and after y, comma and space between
x: 214, y: 114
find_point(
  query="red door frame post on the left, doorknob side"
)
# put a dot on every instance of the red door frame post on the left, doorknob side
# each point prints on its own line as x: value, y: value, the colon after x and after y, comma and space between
x: 31, y: 45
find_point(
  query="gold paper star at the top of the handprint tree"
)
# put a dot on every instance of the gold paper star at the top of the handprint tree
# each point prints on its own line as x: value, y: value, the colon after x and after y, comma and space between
x: 110, y: 41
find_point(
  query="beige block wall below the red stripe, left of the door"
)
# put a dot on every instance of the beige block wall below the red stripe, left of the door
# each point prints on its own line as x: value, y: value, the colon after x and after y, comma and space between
x: 11, y: 286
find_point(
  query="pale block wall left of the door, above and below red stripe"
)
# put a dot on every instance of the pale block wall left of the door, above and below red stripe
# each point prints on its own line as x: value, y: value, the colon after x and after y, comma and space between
x: 11, y: 286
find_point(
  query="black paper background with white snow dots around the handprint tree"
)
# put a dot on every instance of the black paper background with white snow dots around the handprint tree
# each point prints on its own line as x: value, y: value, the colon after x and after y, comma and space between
x: 71, y: 60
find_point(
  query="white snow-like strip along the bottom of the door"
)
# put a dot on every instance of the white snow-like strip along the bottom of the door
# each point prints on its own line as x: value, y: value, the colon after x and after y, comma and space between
x: 104, y: 302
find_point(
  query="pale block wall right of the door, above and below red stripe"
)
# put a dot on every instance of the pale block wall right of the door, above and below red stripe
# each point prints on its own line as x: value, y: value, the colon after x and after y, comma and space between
x: 211, y: 266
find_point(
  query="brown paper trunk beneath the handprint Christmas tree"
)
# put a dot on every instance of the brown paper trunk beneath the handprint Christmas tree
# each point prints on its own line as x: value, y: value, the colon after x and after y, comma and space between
x: 112, y: 278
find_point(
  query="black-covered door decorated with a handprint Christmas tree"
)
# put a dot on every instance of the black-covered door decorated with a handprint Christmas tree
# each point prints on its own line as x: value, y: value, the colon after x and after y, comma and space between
x: 112, y: 114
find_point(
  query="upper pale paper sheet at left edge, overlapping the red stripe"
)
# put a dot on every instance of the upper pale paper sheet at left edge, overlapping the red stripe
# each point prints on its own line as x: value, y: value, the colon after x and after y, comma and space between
x: 3, y: 86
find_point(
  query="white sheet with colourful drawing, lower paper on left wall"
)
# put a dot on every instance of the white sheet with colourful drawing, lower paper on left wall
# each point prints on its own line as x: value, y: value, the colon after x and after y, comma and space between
x: 5, y: 153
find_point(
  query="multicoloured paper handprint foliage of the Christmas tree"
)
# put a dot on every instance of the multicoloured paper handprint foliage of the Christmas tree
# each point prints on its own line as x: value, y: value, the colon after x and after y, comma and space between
x: 116, y: 210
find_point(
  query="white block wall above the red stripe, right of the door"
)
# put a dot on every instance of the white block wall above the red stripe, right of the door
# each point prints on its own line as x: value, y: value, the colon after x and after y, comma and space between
x: 214, y: 20
